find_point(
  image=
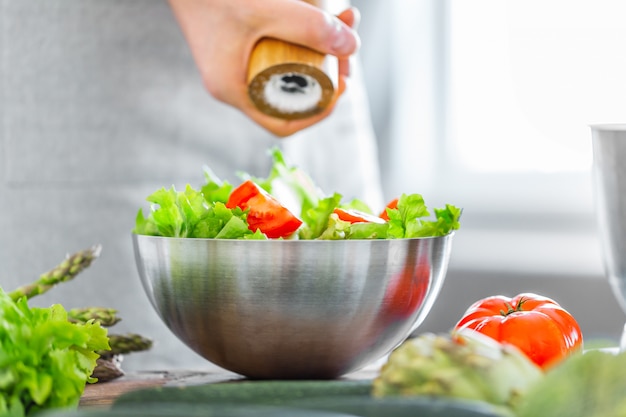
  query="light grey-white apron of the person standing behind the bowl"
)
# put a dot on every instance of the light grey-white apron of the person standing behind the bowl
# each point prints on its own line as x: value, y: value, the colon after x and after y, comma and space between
x: 101, y: 104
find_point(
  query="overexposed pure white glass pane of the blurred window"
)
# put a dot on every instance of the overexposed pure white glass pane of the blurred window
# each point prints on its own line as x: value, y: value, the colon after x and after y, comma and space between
x: 527, y: 77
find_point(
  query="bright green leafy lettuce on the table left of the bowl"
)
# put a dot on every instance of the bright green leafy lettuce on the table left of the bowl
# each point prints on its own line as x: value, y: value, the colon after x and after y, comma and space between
x: 45, y: 360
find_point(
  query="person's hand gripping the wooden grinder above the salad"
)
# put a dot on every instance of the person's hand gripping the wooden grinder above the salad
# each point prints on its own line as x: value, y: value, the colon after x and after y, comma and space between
x: 222, y: 33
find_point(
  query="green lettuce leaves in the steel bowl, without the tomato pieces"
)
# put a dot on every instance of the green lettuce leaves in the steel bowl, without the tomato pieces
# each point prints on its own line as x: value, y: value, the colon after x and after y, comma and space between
x: 203, y: 213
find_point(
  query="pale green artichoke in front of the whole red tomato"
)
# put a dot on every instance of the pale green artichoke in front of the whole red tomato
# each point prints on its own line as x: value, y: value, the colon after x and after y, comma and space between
x: 465, y: 365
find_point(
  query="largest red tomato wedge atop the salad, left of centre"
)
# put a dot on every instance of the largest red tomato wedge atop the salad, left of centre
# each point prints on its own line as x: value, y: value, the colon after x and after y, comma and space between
x: 265, y: 212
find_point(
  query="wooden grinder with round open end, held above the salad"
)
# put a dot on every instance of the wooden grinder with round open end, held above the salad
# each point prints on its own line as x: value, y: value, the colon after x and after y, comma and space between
x: 290, y: 81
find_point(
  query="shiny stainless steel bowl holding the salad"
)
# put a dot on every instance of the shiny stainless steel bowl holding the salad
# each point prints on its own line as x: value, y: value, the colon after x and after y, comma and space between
x: 292, y: 309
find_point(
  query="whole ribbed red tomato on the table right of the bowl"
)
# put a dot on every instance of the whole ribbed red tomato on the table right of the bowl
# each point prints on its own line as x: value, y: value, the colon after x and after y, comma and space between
x: 536, y: 325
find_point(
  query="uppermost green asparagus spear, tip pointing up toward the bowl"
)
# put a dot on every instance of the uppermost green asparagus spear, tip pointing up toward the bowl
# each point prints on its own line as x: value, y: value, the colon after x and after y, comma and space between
x: 65, y: 271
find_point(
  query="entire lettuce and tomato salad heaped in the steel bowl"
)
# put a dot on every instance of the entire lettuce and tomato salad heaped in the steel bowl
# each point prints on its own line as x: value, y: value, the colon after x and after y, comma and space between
x: 285, y: 205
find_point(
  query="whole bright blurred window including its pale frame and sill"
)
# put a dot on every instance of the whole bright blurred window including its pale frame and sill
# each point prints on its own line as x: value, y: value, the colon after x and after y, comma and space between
x: 496, y: 119
